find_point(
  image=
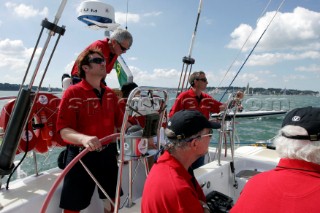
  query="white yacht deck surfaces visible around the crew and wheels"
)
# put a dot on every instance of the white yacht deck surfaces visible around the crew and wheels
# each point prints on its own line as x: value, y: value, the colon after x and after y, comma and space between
x: 28, y: 194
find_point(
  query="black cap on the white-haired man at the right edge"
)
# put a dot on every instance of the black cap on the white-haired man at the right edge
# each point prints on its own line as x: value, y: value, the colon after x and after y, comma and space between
x: 307, y: 118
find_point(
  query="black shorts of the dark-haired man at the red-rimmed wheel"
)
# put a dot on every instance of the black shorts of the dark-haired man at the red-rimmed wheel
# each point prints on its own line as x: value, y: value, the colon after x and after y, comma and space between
x: 78, y: 186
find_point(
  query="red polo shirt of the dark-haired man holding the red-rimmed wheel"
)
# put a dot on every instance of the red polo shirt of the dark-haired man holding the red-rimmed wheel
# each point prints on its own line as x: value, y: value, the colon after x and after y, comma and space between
x: 81, y: 110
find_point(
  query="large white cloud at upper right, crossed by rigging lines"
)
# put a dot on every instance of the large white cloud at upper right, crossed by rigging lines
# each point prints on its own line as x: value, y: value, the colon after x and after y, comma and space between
x: 298, y: 30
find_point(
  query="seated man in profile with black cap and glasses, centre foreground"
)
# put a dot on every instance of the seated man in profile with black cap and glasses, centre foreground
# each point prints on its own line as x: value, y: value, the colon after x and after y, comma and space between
x: 170, y: 187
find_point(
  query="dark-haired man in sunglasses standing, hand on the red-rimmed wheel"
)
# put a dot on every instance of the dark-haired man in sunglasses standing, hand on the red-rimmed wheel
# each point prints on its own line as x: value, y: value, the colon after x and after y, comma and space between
x: 88, y: 112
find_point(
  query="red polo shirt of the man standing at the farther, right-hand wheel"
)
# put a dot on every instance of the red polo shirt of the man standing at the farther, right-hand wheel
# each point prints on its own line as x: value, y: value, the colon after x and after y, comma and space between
x: 188, y: 100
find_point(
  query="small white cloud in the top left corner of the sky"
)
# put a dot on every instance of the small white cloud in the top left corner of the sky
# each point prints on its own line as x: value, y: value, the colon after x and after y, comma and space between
x: 26, y: 11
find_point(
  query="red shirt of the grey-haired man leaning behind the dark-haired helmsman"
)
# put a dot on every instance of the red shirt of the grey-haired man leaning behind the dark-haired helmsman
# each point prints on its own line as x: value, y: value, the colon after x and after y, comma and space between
x: 103, y: 45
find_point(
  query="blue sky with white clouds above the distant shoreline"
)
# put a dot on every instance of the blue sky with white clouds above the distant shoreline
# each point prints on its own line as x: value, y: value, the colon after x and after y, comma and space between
x: 288, y: 56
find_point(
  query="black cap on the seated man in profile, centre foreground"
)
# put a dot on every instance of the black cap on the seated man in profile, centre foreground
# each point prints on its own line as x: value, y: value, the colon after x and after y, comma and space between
x: 186, y: 123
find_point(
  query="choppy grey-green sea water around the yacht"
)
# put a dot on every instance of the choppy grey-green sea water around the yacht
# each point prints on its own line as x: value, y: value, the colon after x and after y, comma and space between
x: 248, y: 130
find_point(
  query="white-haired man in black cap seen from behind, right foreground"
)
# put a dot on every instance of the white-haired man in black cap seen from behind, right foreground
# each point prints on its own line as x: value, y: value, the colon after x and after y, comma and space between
x: 294, y: 185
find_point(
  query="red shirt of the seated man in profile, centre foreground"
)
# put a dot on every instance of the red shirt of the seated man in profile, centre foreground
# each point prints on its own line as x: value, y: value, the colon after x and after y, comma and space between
x: 169, y: 188
